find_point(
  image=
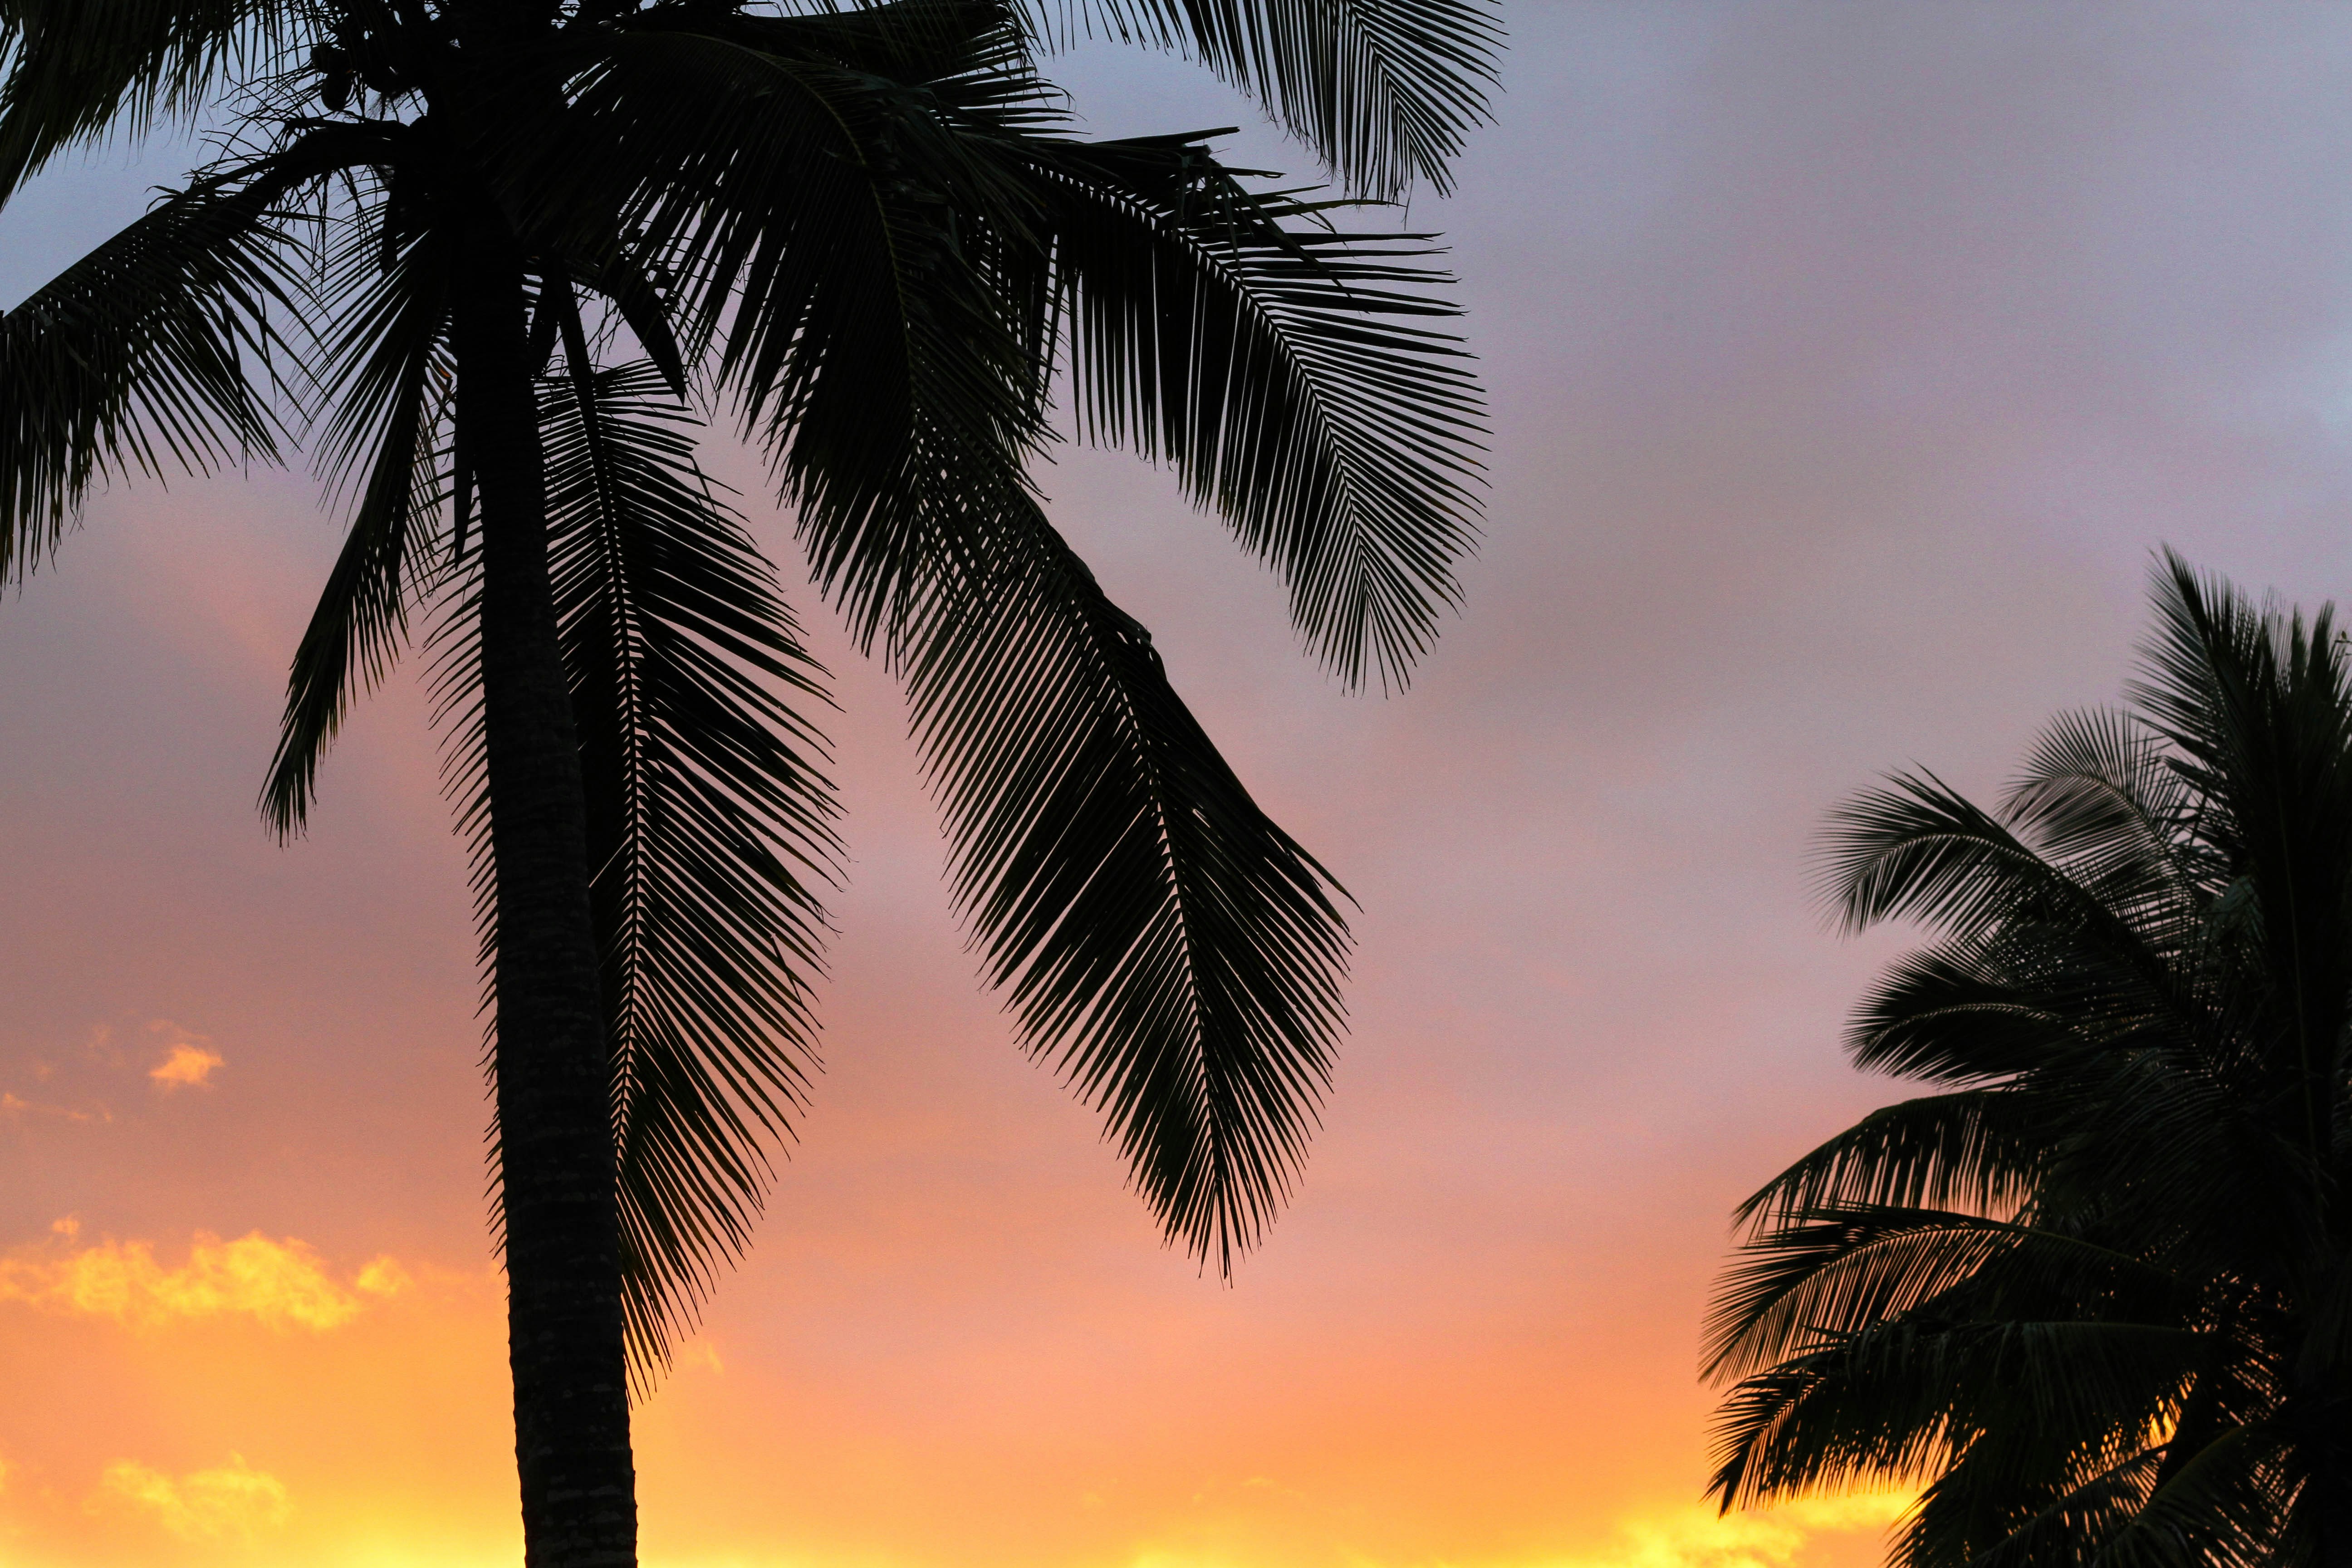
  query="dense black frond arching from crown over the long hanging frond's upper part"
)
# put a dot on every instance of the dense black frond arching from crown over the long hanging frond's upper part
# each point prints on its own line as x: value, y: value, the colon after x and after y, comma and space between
x: 813, y: 220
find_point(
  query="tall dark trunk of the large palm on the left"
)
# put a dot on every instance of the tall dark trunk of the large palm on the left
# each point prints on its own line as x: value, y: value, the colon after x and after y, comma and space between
x: 556, y: 1162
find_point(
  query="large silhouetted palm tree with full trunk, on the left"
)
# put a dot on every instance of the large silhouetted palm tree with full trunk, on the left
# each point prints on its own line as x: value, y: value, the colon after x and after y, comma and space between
x: 495, y: 260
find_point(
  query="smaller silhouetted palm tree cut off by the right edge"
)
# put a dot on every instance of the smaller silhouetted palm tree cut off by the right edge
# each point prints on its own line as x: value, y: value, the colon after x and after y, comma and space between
x: 2094, y: 1289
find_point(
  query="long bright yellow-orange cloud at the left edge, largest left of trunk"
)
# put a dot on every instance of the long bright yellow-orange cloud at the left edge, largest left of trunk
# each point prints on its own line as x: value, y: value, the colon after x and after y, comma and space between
x: 281, y: 1285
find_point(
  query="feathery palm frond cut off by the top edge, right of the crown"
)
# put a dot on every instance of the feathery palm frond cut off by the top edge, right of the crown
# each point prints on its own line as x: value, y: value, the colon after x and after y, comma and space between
x: 1384, y: 91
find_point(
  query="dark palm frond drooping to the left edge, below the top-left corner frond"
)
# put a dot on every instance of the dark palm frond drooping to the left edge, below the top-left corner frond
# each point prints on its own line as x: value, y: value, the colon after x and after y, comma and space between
x: 145, y: 356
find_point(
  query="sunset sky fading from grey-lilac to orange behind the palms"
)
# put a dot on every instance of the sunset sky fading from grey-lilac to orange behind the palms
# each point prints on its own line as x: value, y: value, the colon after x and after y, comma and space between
x: 1847, y: 363
